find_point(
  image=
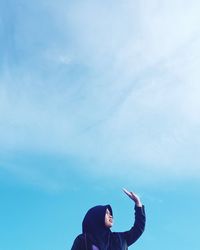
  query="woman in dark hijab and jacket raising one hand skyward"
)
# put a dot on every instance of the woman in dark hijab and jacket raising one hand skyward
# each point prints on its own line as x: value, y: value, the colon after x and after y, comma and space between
x: 96, y: 233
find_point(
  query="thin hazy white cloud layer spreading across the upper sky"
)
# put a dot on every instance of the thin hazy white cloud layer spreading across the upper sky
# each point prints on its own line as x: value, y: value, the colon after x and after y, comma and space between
x: 110, y: 83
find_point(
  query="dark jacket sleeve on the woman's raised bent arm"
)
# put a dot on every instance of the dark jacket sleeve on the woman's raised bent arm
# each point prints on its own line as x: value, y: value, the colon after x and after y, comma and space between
x: 138, y: 228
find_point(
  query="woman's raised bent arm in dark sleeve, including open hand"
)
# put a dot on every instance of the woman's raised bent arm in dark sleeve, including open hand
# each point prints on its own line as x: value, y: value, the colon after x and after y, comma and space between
x: 138, y: 228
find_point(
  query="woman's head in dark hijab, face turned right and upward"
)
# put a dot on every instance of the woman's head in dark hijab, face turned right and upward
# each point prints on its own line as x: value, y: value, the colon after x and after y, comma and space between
x: 98, y: 218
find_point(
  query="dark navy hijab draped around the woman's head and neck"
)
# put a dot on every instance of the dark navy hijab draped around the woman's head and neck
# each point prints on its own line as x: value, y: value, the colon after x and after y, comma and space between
x: 94, y: 226
